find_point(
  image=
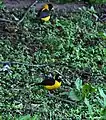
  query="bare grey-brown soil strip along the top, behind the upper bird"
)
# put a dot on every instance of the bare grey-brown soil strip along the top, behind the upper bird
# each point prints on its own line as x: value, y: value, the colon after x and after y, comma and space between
x: 25, y: 3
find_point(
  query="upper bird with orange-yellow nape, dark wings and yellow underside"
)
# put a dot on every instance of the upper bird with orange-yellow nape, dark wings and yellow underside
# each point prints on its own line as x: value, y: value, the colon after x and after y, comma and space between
x: 44, y: 12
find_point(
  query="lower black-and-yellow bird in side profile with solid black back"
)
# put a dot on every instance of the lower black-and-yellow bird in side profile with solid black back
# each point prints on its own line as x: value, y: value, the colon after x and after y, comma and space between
x: 50, y: 82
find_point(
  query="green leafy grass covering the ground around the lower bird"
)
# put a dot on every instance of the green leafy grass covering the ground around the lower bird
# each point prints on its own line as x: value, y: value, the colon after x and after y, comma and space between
x: 75, y: 46
